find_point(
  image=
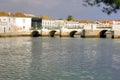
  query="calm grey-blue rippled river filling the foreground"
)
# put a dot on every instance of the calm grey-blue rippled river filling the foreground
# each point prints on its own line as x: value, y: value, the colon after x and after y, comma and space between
x: 43, y: 58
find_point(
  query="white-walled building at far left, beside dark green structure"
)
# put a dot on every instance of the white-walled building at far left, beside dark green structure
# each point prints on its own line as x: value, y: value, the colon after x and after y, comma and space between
x: 14, y: 24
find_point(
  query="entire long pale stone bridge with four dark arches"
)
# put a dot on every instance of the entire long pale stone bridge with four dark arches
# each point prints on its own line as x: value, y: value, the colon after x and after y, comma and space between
x: 81, y: 32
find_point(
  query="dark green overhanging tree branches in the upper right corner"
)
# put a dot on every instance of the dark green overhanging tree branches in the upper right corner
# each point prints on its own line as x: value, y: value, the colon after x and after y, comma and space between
x: 108, y: 6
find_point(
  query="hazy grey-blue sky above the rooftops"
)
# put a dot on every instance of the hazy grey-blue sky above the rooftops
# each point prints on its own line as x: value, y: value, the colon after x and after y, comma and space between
x: 57, y: 9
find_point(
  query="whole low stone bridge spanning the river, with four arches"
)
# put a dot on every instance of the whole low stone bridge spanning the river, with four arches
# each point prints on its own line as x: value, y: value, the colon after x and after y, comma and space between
x: 84, y: 33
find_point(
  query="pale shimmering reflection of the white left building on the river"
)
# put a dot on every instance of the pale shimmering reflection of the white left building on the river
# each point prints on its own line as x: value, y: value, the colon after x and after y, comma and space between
x: 15, y: 54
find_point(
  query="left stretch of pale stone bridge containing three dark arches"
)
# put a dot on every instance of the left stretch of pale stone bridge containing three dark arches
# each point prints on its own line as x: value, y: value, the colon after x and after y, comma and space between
x: 63, y: 32
